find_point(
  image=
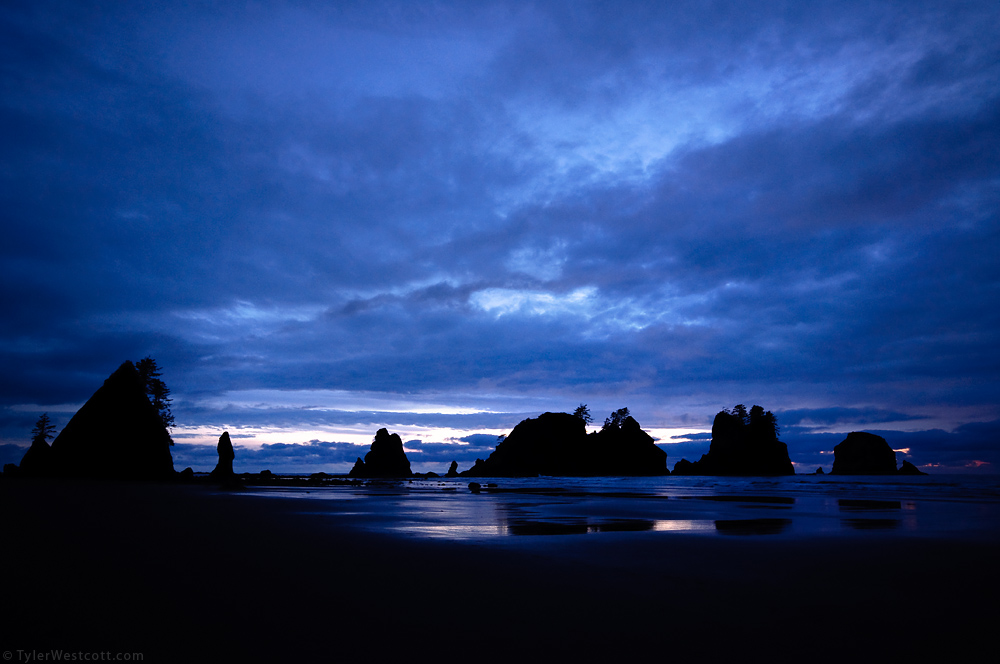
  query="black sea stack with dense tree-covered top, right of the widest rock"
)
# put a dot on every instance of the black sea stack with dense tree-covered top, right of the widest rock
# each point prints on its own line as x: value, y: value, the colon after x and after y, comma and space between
x: 742, y: 444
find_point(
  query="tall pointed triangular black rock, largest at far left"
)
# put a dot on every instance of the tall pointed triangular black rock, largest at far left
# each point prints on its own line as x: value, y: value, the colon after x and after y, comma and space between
x: 117, y: 434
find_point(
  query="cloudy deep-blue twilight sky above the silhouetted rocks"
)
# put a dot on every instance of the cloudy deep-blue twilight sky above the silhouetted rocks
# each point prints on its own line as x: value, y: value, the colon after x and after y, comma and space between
x: 441, y: 218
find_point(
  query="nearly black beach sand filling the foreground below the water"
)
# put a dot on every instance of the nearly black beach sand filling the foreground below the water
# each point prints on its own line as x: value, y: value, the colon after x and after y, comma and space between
x: 182, y: 573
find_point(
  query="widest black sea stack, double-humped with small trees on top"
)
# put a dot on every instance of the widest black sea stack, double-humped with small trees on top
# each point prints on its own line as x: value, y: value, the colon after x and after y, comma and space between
x: 558, y: 444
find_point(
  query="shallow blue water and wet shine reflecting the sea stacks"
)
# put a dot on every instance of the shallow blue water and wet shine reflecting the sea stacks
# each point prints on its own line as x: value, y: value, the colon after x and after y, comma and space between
x: 957, y: 506
